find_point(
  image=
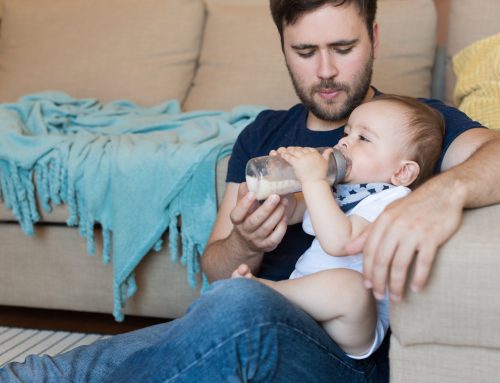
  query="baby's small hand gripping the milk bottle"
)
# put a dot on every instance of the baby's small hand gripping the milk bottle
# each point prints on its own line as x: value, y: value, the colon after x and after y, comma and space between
x: 308, y: 164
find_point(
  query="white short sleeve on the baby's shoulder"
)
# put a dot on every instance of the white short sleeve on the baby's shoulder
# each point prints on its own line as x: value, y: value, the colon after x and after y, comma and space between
x: 371, y: 207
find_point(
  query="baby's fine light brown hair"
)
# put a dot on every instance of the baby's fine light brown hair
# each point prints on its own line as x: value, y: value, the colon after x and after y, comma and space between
x: 425, y: 134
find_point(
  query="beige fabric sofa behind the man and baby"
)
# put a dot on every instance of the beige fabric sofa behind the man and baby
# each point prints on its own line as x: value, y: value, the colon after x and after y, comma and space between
x: 217, y: 54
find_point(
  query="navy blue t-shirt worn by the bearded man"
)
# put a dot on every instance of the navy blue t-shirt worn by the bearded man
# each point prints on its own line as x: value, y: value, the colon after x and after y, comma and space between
x: 272, y: 129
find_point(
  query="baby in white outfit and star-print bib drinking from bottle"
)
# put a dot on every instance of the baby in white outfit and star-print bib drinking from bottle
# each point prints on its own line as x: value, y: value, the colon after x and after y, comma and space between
x: 391, y: 144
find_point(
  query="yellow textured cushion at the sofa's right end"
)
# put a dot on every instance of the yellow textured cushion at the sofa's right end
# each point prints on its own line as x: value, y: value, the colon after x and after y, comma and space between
x: 477, y: 91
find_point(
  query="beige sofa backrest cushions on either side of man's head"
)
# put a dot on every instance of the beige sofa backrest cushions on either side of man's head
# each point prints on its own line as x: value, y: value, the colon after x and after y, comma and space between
x: 208, y: 54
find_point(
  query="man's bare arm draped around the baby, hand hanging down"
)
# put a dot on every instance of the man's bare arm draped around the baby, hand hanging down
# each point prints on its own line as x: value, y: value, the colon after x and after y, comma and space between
x: 412, y: 229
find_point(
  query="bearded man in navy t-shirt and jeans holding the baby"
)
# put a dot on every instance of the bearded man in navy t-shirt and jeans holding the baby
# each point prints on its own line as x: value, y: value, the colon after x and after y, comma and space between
x: 241, y: 330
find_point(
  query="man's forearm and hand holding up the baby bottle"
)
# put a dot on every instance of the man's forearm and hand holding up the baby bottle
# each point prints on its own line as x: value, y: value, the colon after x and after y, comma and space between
x: 243, y: 231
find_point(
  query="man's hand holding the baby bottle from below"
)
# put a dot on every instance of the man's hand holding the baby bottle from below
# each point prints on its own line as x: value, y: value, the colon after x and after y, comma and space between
x: 259, y: 228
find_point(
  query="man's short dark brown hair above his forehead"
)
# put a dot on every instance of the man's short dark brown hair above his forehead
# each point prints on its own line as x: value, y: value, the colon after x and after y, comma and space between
x: 287, y: 12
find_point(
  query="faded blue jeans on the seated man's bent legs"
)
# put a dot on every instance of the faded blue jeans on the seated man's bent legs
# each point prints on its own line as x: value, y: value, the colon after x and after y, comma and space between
x: 239, y: 330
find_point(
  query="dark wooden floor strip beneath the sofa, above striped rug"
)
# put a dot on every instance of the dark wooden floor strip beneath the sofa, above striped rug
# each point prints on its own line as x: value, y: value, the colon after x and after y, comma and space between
x: 71, y: 320
